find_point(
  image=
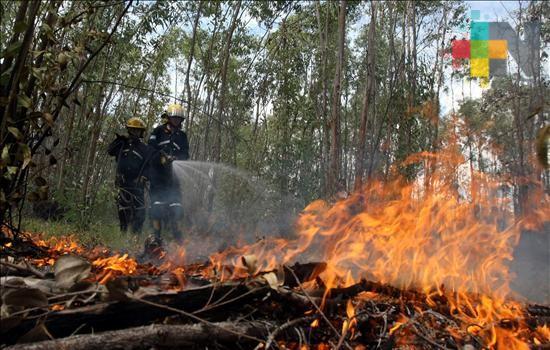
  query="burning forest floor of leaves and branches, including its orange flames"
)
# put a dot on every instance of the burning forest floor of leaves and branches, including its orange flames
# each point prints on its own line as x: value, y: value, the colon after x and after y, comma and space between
x: 404, y: 266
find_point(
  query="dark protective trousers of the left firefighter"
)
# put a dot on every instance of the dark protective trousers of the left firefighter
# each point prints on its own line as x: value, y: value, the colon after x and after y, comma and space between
x: 131, y: 209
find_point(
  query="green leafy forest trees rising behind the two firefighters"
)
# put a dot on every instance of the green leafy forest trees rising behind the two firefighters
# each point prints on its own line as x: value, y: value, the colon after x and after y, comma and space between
x: 79, y: 78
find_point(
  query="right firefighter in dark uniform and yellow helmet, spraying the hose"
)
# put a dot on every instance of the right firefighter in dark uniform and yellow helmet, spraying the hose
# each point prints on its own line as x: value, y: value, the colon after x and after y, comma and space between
x: 170, y: 144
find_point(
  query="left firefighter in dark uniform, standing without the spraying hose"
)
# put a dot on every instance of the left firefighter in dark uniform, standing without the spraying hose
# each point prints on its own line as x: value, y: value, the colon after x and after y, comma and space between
x: 132, y: 156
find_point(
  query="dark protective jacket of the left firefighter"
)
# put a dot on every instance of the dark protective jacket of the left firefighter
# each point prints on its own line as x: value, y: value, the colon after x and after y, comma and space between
x: 132, y: 157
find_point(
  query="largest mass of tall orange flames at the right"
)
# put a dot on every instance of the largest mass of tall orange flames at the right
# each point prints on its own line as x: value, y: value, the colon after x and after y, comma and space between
x: 448, y: 236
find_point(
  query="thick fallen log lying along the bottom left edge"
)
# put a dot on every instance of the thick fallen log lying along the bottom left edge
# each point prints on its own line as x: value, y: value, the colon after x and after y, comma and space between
x: 164, y: 336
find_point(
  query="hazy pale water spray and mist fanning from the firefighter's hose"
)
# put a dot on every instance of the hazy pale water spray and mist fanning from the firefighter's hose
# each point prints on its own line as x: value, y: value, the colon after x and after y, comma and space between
x: 224, y: 206
